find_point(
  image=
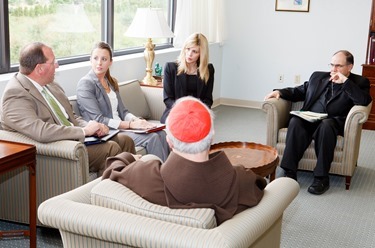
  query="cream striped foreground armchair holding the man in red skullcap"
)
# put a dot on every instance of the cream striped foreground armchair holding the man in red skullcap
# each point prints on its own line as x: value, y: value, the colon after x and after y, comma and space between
x: 82, y: 224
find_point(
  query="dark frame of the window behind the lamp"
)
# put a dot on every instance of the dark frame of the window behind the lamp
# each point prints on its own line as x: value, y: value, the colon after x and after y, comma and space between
x: 107, y: 31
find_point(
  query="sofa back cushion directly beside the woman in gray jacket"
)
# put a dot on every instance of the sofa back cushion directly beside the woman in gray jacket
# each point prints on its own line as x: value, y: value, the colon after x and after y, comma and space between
x: 134, y: 99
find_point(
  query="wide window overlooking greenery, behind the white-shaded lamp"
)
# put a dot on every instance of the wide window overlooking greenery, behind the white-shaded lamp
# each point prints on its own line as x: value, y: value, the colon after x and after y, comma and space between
x: 71, y: 27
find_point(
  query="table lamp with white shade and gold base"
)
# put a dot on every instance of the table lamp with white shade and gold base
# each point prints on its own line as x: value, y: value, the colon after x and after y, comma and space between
x: 149, y: 23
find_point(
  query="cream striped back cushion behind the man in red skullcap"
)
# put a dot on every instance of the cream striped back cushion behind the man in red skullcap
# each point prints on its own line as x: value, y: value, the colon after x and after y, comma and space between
x: 113, y: 195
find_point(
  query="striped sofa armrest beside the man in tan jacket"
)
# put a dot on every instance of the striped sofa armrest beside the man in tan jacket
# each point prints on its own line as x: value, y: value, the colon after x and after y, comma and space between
x: 60, y: 167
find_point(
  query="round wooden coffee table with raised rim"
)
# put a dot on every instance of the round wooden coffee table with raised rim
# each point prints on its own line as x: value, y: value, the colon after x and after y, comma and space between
x: 261, y: 159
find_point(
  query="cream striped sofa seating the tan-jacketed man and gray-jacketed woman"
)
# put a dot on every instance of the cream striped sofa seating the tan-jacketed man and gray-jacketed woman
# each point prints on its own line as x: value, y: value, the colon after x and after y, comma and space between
x: 63, y: 165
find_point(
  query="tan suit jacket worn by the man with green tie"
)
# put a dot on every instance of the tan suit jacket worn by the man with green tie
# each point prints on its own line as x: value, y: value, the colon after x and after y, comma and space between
x: 24, y: 110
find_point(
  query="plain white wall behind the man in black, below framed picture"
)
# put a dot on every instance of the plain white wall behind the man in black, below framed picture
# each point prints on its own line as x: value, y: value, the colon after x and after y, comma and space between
x: 264, y: 43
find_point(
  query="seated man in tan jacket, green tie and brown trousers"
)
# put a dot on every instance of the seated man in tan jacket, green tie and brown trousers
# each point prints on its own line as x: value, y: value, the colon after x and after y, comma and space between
x: 27, y: 110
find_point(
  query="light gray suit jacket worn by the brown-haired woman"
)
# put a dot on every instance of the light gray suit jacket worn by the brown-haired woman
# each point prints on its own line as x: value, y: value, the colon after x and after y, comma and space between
x: 93, y: 101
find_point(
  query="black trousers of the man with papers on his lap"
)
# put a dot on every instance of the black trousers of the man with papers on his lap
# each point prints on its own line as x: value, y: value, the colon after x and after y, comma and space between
x: 299, y: 136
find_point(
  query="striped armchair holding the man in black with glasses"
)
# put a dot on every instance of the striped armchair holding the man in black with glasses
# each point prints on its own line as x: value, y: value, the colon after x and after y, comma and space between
x: 347, y: 147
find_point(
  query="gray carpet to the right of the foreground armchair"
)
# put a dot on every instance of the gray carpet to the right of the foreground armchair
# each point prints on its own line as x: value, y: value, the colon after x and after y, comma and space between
x: 338, y: 218
